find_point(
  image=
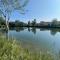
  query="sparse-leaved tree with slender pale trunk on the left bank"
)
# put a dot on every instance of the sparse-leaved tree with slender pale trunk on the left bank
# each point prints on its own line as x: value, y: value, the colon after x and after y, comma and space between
x: 9, y: 6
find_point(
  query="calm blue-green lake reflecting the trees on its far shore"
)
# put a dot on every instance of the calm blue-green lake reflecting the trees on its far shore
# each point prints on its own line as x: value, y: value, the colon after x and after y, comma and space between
x: 38, y: 39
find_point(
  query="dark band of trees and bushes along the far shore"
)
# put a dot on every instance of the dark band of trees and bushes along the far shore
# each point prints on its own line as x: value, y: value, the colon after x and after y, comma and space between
x: 42, y: 24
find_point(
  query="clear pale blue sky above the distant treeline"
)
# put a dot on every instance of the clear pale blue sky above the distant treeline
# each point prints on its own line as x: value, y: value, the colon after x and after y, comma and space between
x: 41, y: 10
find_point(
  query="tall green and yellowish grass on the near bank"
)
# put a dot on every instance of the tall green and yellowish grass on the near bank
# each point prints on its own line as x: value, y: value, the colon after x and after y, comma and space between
x: 12, y: 50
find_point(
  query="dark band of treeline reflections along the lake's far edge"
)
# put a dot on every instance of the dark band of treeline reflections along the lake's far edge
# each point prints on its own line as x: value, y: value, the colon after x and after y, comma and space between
x: 53, y: 31
